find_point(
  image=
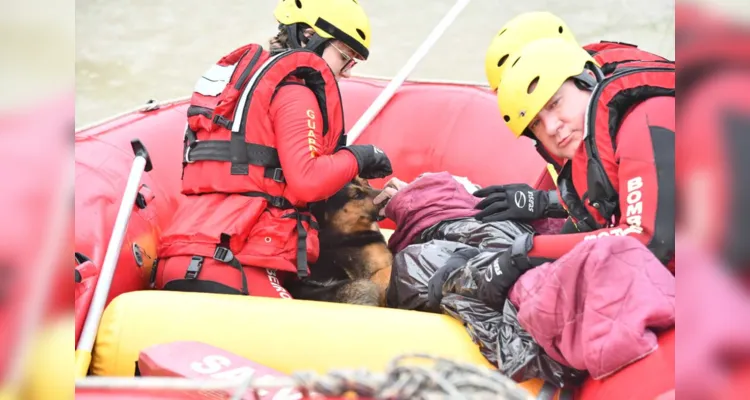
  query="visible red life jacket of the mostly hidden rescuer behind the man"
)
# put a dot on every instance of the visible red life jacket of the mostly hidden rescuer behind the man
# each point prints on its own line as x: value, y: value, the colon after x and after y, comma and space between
x: 609, y: 55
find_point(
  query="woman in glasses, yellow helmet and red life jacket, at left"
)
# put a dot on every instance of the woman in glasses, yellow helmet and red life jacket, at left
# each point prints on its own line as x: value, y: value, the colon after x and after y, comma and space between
x: 265, y: 137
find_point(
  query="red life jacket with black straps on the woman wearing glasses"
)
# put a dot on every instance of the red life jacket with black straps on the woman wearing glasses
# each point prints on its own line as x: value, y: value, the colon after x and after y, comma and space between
x: 231, y: 171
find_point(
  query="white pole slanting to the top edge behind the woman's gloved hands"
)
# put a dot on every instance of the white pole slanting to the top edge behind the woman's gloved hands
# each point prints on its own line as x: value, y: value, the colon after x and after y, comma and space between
x: 401, y: 76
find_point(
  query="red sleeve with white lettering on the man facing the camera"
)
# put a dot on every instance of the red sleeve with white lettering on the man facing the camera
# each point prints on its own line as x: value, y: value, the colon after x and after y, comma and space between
x: 646, y: 197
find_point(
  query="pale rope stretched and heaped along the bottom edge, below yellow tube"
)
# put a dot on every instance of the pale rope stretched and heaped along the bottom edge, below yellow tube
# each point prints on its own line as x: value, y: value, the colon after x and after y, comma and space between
x: 425, y: 377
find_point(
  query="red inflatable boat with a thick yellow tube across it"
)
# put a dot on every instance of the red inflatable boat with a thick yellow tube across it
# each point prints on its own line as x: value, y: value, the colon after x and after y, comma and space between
x: 426, y: 127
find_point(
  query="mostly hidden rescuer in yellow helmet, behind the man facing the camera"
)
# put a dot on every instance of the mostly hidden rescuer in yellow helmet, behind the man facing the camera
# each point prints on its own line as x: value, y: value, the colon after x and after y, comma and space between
x: 527, y: 27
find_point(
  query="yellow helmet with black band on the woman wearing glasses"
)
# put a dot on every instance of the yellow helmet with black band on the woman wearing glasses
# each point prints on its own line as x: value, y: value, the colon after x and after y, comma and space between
x: 344, y: 20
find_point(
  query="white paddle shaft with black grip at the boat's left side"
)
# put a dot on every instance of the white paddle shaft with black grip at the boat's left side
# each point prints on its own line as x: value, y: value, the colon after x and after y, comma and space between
x: 141, y: 163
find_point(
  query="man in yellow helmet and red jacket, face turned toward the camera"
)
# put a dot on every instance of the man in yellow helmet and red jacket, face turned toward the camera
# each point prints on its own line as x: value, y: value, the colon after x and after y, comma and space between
x: 616, y: 137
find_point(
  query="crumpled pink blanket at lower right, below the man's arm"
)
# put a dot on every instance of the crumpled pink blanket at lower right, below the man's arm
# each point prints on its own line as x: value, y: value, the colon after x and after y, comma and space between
x: 598, y: 307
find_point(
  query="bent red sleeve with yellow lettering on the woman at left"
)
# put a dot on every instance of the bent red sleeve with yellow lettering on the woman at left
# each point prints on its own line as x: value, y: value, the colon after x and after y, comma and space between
x: 310, y: 176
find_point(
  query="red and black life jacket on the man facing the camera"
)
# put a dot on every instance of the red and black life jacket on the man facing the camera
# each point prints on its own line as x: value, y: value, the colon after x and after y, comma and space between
x: 629, y: 85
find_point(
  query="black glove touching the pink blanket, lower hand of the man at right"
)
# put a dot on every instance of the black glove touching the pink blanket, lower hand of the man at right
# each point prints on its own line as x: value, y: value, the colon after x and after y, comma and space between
x: 500, y: 276
